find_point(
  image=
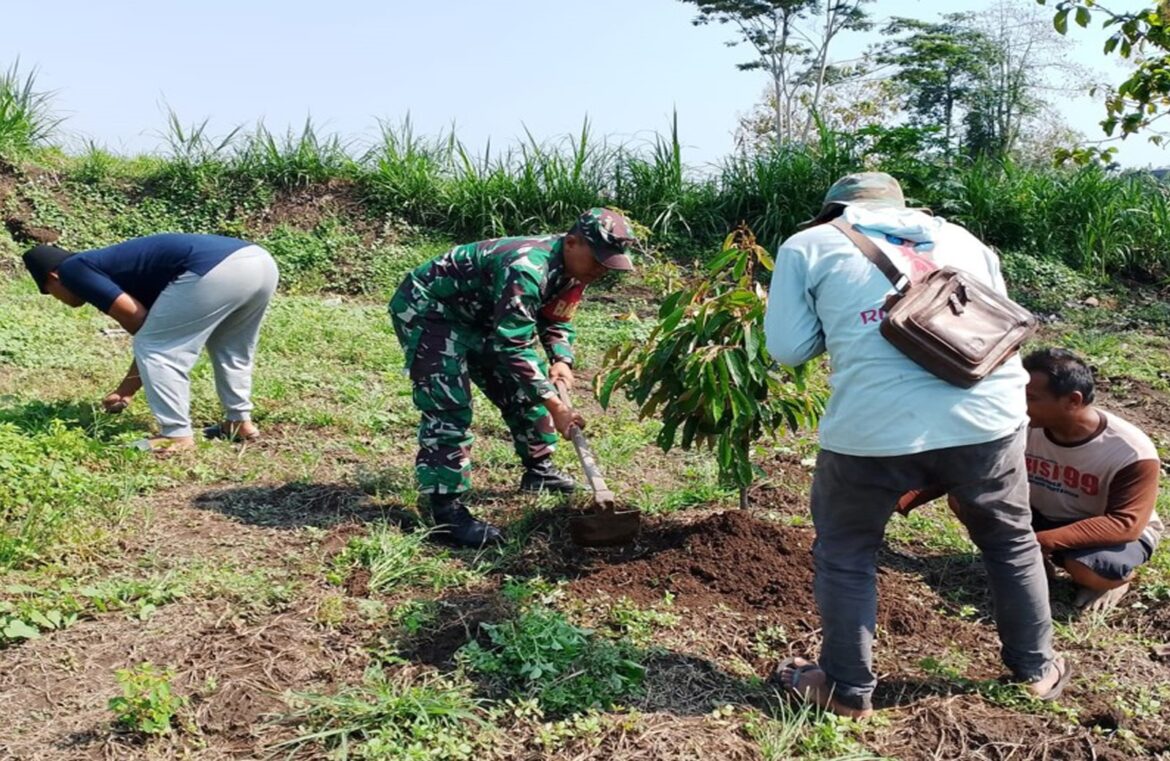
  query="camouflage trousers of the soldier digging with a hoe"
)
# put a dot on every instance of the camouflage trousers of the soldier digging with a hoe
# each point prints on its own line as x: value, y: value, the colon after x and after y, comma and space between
x: 444, y: 359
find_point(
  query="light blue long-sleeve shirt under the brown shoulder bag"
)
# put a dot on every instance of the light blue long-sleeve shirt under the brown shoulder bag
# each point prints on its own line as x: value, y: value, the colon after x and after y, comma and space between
x: 828, y: 297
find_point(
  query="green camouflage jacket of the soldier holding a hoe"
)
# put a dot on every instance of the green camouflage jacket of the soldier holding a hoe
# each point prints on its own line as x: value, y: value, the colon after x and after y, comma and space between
x: 513, y: 290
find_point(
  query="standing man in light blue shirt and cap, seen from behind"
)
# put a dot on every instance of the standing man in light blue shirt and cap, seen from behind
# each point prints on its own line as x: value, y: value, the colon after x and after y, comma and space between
x: 891, y: 428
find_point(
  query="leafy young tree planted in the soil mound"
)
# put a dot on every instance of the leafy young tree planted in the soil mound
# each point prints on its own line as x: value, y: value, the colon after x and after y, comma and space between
x: 706, y: 372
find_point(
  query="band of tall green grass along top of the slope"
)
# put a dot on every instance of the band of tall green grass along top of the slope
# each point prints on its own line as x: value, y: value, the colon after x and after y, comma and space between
x: 1098, y: 222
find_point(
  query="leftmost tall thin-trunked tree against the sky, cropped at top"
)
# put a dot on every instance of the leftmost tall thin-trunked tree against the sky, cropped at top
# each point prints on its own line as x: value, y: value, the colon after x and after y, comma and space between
x: 792, y: 40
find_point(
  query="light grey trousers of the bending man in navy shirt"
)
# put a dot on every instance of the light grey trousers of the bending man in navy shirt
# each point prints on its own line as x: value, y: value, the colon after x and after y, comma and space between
x: 222, y: 311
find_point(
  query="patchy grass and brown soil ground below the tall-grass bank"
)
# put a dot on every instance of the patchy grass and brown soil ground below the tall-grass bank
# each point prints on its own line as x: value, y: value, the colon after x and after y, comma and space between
x: 281, y: 600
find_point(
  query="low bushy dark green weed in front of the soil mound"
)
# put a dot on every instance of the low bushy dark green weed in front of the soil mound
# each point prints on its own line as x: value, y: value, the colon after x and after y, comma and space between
x: 541, y: 655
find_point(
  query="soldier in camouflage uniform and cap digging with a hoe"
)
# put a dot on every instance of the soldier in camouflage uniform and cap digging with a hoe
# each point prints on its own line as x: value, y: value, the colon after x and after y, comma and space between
x: 479, y: 314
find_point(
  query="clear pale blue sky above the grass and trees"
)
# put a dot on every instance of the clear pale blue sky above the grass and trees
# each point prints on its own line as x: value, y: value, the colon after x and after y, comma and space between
x: 490, y: 67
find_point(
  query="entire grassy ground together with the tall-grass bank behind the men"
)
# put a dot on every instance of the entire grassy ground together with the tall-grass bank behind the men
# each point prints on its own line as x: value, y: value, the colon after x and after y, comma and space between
x: 283, y: 600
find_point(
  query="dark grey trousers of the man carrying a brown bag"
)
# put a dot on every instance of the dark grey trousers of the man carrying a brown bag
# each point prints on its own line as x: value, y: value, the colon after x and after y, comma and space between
x: 852, y: 501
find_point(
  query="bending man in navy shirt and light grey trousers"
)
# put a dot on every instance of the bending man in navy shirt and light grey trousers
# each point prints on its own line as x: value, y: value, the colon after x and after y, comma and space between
x: 175, y: 293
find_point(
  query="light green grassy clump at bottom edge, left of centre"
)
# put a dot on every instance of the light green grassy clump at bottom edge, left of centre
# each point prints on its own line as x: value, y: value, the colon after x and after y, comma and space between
x: 393, y: 717
